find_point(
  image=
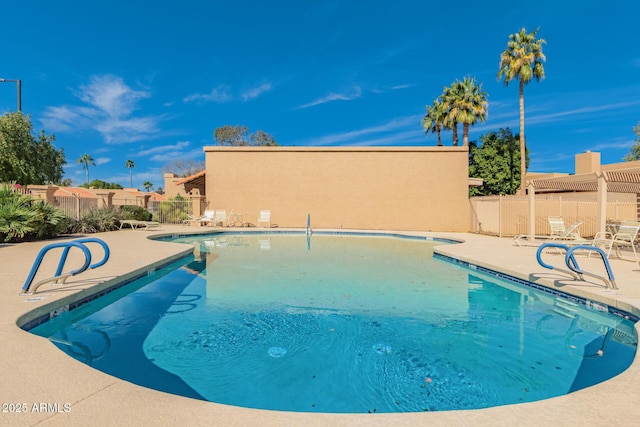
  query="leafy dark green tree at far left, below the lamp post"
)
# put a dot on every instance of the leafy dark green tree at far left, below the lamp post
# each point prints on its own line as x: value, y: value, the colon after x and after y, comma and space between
x: 26, y: 158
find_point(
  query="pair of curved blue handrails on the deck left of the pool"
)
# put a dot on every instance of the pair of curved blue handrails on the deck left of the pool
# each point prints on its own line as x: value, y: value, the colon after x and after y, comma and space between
x: 59, y: 277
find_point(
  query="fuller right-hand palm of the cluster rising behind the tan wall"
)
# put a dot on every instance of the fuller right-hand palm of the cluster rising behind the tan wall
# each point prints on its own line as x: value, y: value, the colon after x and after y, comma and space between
x: 470, y: 105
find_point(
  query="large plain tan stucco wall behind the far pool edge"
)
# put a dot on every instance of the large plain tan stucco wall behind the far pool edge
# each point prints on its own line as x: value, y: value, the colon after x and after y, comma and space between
x: 395, y: 188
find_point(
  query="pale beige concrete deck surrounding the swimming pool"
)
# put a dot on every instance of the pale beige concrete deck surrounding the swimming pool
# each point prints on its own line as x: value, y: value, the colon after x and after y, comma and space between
x: 54, y: 389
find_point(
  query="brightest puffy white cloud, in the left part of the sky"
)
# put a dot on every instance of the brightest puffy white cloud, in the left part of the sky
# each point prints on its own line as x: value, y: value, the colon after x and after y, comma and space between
x: 108, y: 109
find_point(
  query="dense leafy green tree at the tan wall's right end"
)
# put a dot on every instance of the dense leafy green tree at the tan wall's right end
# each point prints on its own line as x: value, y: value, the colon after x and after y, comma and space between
x: 497, y: 162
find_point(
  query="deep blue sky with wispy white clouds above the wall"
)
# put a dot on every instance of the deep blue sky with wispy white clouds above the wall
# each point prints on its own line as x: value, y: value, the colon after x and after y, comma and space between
x: 151, y: 81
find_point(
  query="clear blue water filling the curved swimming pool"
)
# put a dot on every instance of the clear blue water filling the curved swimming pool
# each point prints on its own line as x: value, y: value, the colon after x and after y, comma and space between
x: 341, y: 324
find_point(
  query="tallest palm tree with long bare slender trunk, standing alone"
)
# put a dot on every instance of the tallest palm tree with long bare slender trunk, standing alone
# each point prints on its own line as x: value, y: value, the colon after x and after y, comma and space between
x: 522, y: 60
